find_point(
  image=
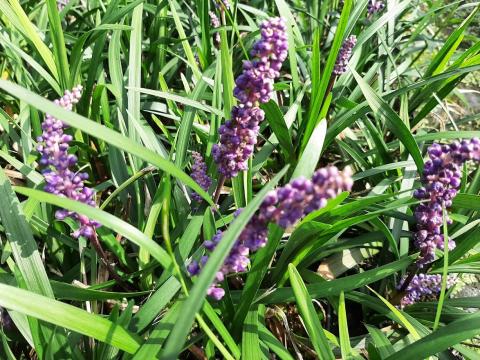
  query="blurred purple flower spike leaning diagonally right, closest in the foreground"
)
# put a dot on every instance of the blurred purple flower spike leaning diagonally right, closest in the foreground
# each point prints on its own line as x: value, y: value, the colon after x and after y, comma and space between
x: 283, y: 206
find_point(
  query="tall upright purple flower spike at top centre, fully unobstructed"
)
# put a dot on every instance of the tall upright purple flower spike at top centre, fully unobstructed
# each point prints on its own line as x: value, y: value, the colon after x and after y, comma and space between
x: 238, y: 136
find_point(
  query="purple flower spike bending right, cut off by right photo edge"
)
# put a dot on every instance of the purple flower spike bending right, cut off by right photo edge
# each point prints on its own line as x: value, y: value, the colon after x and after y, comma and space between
x: 441, y: 180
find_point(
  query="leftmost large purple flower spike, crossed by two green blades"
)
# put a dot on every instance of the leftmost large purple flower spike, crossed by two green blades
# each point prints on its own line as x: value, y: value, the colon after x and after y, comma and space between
x: 60, y: 179
